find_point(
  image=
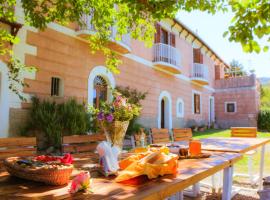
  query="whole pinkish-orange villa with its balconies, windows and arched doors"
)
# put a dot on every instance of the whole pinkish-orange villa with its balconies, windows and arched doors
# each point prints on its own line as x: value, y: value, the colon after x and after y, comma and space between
x: 183, y: 76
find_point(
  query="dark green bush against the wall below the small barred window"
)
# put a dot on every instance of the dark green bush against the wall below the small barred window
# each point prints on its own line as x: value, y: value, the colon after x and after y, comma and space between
x: 56, y: 120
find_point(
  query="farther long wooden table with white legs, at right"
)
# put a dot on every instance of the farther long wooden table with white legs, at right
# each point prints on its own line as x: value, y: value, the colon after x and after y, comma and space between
x: 236, y: 145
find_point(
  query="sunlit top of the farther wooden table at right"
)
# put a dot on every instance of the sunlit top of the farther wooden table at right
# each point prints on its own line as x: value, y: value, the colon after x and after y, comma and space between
x: 232, y: 144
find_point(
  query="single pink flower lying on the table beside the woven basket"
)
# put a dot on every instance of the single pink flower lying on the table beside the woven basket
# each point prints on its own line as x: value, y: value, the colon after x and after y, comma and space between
x: 80, y: 182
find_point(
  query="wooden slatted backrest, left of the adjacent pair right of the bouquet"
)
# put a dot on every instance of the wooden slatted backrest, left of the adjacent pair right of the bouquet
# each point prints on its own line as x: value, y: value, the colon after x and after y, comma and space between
x: 160, y: 135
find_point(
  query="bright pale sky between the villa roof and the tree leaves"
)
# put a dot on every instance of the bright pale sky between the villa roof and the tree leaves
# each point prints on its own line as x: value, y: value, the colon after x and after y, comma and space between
x: 211, y: 28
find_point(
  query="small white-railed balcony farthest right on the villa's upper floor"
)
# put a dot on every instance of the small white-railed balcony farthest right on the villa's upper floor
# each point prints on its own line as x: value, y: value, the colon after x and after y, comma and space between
x: 200, y: 74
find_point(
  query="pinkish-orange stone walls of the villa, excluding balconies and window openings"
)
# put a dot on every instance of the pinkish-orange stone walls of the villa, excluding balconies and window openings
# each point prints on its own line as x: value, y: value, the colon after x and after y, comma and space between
x: 61, y: 52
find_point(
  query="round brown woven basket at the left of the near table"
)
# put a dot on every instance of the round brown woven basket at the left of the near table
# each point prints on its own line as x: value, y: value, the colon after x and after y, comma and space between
x: 50, y: 176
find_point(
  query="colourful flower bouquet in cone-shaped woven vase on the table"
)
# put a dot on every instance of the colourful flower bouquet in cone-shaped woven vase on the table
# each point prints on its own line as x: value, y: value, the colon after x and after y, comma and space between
x: 113, y: 118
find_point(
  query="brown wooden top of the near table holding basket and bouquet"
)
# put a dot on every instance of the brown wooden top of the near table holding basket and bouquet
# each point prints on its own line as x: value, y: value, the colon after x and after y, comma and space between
x: 190, y: 172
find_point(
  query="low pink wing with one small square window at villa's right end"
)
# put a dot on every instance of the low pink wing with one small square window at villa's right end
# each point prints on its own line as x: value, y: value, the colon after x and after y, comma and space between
x: 245, y: 93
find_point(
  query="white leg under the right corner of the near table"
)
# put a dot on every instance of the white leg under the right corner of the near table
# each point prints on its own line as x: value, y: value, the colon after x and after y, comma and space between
x: 227, y: 183
